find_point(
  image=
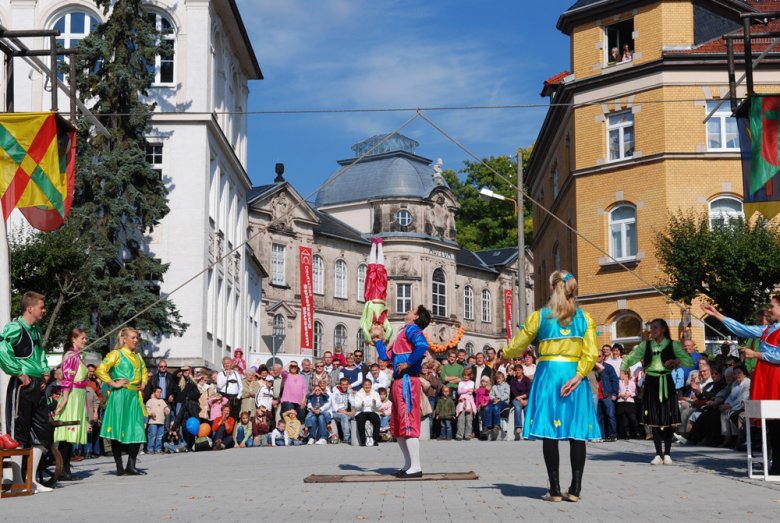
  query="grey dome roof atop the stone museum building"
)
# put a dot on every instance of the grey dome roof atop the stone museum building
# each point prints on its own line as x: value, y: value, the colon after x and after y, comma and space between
x: 392, y: 173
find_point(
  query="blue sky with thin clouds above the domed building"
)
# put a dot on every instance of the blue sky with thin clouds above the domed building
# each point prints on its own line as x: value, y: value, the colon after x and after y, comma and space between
x: 347, y: 54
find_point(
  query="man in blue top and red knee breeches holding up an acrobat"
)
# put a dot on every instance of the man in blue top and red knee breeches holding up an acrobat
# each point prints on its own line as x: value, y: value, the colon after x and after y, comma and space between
x: 406, y: 354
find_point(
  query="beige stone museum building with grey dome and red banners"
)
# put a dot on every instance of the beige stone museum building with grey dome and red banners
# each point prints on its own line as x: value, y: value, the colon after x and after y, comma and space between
x: 397, y: 195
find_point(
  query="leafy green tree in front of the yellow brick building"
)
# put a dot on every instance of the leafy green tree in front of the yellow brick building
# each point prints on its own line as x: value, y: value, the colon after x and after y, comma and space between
x: 733, y: 264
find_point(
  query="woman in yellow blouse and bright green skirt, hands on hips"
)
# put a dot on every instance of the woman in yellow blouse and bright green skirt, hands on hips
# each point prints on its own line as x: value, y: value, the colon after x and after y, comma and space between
x: 123, y: 422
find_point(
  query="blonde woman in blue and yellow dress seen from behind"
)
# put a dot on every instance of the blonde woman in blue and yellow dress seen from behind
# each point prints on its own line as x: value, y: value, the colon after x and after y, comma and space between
x: 560, y: 405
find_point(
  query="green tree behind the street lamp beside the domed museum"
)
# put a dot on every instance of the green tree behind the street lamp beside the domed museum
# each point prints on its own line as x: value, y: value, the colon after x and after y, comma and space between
x: 489, y: 224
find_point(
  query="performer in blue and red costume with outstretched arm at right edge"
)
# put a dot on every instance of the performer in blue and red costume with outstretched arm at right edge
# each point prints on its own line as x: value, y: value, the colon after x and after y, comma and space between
x: 765, y: 384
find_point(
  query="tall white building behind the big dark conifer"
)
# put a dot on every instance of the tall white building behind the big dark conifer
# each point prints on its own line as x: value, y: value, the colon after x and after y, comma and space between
x: 201, y: 151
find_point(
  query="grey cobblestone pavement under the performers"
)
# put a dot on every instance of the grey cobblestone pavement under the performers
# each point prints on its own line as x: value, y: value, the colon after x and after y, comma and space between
x: 267, y: 484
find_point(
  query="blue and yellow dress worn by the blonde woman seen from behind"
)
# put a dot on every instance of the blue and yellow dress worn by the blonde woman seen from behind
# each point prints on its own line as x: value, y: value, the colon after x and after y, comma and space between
x: 563, y: 352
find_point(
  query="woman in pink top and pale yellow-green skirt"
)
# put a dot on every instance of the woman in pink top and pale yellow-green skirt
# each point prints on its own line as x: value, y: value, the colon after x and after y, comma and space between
x: 73, y: 402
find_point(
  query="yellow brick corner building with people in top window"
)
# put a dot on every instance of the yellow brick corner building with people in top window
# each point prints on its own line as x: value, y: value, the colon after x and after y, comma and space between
x: 625, y: 144
